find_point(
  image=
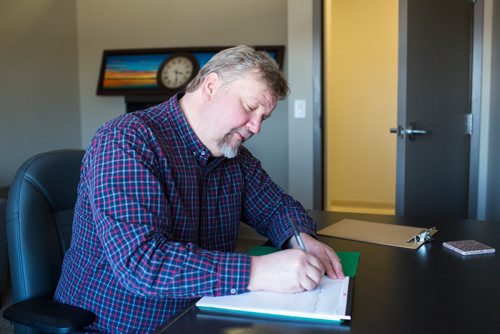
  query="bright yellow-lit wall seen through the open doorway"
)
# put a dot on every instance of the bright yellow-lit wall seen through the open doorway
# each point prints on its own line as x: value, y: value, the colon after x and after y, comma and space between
x: 361, y: 105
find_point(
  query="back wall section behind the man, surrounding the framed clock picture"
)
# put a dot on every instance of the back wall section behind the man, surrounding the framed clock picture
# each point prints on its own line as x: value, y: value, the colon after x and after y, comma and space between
x: 129, y: 24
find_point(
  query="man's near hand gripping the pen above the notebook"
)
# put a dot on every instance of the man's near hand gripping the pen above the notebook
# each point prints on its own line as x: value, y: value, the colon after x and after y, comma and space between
x: 286, y: 271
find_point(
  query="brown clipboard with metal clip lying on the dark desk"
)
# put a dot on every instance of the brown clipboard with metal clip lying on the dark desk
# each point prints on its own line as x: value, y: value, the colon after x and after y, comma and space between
x: 379, y: 233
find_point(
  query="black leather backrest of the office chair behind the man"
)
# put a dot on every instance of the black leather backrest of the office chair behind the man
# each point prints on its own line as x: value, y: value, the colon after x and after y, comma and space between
x: 39, y: 218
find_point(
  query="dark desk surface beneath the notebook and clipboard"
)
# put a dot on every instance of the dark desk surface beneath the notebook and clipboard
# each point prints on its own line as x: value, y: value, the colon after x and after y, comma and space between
x: 429, y: 290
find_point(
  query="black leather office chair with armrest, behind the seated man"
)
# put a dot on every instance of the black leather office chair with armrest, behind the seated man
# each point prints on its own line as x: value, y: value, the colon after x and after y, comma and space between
x: 39, y: 219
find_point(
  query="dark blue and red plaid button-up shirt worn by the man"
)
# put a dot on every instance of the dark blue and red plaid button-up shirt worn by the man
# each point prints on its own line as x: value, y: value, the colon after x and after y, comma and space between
x: 156, y: 221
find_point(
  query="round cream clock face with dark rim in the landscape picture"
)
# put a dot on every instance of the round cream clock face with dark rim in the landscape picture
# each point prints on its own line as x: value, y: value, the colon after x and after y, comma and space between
x: 177, y: 71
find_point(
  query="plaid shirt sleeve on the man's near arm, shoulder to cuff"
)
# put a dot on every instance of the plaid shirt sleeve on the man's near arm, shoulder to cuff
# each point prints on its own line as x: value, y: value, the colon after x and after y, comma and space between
x: 132, y: 220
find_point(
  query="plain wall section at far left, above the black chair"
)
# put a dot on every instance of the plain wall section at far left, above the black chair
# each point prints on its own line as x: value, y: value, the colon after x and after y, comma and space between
x: 39, y: 108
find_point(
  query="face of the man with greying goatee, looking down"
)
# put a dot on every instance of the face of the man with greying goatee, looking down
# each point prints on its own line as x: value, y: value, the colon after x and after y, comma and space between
x: 239, y: 108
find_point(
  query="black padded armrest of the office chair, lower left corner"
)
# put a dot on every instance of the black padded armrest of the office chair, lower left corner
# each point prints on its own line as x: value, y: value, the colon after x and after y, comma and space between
x: 48, y: 315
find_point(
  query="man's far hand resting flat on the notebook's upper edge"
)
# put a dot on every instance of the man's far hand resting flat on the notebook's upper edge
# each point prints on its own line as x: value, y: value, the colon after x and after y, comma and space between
x: 323, y: 253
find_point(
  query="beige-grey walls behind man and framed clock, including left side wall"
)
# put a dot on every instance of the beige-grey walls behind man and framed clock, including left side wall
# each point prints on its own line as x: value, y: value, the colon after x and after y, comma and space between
x: 51, y: 52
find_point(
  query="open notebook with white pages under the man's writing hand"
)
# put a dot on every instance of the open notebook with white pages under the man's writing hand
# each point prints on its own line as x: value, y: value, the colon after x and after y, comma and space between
x: 330, y: 301
